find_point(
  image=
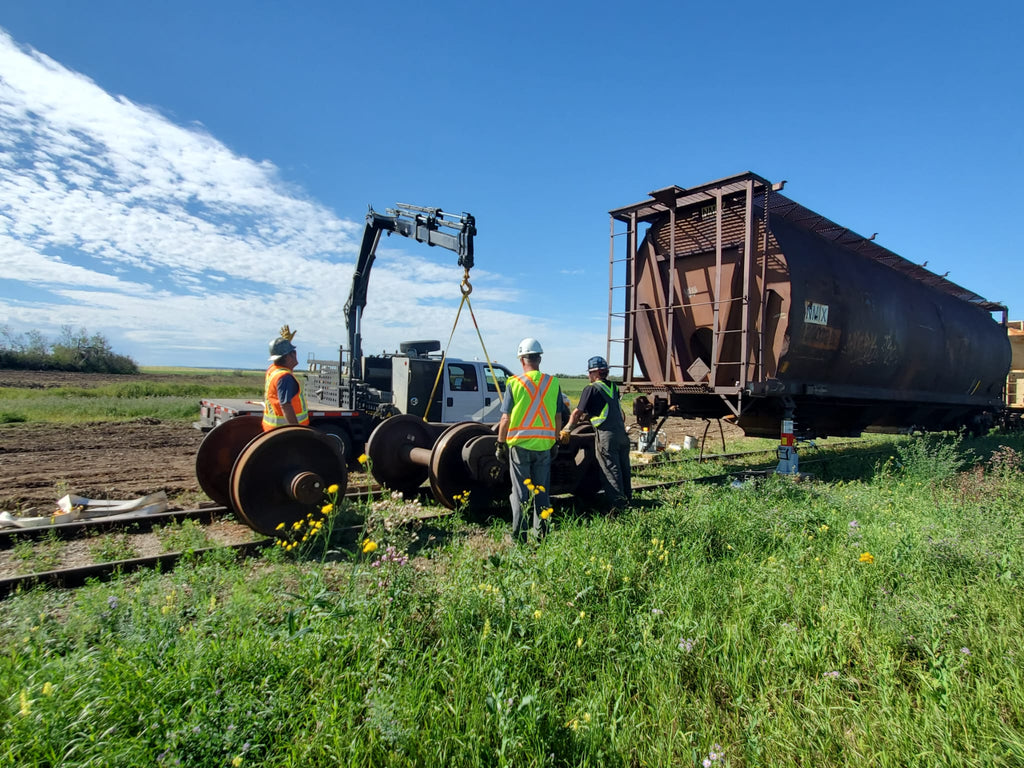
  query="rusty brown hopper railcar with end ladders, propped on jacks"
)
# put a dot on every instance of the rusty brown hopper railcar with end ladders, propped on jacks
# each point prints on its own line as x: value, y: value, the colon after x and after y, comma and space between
x: 740, y: 303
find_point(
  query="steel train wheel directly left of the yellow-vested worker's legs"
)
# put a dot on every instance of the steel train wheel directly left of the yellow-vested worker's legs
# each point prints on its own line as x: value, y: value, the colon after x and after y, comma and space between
x: 463, y: 459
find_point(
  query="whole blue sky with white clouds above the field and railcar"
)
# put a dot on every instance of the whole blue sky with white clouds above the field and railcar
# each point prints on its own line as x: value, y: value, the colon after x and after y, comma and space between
x: 186, y: 178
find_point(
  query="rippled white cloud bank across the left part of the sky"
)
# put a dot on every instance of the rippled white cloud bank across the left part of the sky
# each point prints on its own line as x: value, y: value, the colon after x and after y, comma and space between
x: 157, y: 235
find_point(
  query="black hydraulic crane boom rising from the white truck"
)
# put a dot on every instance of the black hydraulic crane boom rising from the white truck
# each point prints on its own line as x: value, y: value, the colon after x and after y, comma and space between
x: 431, y: 226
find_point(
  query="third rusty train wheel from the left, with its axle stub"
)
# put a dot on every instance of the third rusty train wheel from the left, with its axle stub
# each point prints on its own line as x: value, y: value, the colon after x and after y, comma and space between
x: 399, y: 451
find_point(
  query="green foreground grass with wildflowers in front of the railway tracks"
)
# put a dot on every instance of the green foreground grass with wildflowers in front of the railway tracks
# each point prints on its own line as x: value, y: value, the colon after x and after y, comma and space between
x: 871, y: 617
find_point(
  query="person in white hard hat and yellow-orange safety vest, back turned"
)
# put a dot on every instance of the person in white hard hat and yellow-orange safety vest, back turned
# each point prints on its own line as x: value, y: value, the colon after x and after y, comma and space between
x: 528, y: 437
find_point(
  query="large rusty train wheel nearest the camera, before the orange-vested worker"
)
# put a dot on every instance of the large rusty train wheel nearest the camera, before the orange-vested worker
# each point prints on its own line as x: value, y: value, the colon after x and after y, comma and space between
x: 283, y: 476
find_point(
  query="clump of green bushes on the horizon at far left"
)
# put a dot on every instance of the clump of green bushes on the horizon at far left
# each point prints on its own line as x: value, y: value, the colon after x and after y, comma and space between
x: 73, y: 351
